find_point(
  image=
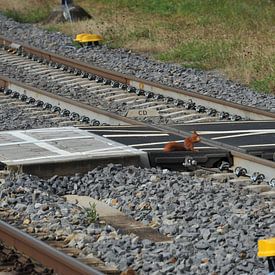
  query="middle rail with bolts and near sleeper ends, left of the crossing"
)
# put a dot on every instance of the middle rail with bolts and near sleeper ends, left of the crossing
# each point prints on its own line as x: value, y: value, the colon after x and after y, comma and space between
x: 60, y: 110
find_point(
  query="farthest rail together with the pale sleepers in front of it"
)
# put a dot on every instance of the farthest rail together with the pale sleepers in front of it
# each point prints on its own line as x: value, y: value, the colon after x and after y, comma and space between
x: 122, y: 92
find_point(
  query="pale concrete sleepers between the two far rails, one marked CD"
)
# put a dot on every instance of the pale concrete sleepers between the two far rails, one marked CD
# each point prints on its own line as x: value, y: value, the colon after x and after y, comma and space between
x: 101, y: 93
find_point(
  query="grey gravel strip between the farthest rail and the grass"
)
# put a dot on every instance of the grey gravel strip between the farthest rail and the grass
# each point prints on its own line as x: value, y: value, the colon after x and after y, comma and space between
x: 122, y: 60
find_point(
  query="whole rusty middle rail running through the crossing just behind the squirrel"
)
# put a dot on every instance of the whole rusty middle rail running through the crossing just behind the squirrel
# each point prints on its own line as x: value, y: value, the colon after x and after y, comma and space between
x: 240, y: 157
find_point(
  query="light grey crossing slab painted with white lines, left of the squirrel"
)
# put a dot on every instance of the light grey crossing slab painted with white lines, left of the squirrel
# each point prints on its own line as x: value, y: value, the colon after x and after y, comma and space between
x: 63, y: 151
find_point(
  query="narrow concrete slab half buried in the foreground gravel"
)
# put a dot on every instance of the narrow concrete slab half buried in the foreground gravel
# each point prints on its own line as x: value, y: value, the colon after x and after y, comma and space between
x: 123, y: 223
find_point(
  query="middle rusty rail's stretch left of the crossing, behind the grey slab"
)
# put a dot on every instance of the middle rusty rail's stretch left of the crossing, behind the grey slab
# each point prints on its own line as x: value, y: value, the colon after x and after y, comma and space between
x: 66, y: 103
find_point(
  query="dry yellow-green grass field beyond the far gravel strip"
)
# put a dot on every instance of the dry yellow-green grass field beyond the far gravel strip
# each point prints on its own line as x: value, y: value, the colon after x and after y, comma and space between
x: 241, y: 45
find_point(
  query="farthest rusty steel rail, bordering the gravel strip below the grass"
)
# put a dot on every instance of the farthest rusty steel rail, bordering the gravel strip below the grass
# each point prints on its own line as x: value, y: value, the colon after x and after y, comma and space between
x: 207, y: 101
